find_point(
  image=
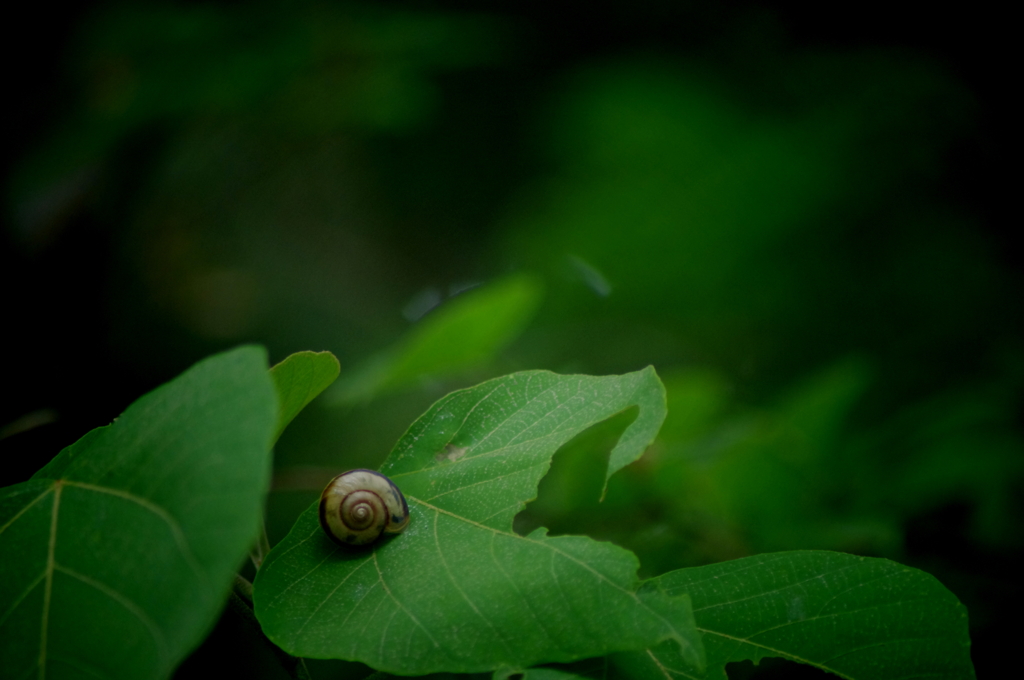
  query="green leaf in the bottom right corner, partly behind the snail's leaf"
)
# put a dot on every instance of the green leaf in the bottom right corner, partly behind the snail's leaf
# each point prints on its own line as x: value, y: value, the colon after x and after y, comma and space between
x: 858, y: 618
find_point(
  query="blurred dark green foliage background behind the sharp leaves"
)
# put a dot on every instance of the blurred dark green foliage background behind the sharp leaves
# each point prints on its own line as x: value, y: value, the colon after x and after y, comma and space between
x: 799, y: 218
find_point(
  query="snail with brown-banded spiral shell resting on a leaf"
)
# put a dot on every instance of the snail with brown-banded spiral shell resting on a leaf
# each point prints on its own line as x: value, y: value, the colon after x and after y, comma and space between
x: 360, y: 505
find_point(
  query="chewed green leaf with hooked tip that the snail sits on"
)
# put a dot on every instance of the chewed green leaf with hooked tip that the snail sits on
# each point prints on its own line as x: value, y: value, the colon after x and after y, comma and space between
x: 459, y: 591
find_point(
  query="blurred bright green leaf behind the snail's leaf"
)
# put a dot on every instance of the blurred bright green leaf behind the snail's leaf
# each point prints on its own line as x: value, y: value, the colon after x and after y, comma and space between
x: 465, y: 333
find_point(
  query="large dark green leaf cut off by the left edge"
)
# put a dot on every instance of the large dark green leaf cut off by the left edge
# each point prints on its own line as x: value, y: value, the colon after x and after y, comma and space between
x: 117, y: 557
